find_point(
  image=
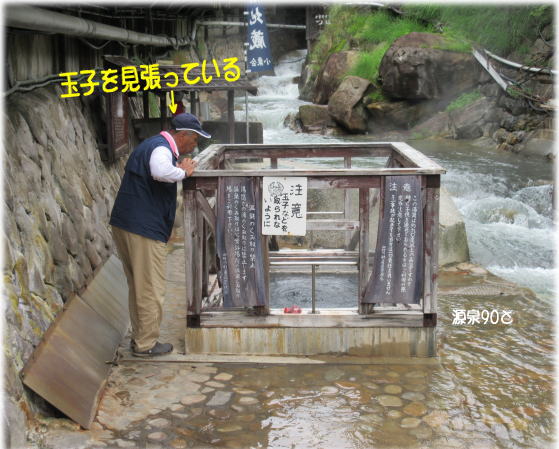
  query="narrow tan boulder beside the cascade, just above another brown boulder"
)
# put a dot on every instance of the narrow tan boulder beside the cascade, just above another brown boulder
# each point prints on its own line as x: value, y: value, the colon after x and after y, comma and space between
x: 331, y: 76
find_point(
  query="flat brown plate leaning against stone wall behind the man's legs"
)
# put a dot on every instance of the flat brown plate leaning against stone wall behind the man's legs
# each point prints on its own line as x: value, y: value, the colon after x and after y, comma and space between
x: 69, y: 367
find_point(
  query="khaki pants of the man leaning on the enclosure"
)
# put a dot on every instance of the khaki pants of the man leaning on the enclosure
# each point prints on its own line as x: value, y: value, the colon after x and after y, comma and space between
x: 143, y: 260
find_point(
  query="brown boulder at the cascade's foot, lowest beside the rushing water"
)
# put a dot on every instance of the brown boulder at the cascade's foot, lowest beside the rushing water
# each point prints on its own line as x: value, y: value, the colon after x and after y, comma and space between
x: 346, y: 106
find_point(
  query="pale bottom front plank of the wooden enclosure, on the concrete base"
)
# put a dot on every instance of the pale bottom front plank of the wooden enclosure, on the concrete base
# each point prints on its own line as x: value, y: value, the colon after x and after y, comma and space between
x: 306, y: 319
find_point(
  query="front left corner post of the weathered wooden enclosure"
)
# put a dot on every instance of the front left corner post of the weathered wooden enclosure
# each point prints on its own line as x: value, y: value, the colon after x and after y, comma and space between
x: 191, y: 254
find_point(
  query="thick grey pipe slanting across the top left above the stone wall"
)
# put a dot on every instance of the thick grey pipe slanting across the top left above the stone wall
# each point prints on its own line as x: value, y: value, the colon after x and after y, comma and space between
x: 38, y: 19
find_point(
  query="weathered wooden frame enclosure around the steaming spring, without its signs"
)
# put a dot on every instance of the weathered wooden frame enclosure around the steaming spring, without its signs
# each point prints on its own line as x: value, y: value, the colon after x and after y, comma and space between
x: 200, y: 225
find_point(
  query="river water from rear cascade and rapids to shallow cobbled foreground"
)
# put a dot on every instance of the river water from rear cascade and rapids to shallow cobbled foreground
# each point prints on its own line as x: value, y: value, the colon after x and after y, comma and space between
x: 492, y: 385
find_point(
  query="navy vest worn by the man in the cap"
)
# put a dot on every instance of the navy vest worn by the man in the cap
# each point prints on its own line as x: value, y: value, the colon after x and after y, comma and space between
x: 143, y: 205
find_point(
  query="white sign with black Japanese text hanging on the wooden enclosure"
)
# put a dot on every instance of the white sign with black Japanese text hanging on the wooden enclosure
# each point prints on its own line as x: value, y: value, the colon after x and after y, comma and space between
x: 284, y: 206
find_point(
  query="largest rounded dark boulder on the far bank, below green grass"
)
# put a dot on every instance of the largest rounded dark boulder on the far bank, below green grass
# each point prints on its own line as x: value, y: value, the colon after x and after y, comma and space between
x: 415, y: 68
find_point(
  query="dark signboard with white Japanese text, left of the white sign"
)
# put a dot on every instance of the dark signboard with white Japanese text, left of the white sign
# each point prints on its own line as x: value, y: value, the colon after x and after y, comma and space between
x: 239, y: 242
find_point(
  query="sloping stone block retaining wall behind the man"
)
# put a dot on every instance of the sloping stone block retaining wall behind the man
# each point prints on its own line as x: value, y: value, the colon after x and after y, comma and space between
x: 58, y: 198
